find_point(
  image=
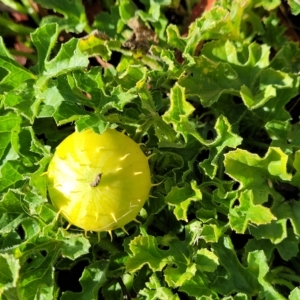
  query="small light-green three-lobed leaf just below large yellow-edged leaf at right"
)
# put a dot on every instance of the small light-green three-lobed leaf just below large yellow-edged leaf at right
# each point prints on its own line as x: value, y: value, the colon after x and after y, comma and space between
x: 247, y: 212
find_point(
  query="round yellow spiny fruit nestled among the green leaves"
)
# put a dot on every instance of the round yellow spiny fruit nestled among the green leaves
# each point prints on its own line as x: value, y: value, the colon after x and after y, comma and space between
x: 99, y: 182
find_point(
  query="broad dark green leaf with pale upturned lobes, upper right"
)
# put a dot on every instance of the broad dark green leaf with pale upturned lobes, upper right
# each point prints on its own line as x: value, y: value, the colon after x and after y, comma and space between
x: 225, y: 73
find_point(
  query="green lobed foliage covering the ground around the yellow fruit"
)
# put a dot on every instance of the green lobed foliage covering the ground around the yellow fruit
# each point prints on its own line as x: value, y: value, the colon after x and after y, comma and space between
x: 212, y: 95
